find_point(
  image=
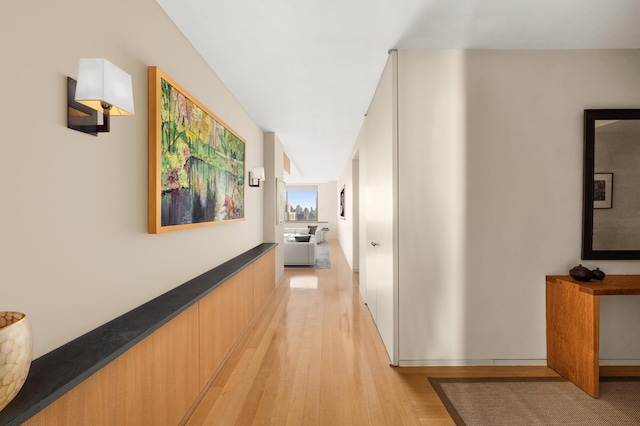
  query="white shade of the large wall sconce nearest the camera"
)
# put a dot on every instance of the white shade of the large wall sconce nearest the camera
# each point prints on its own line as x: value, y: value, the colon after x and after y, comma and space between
x: 99, y: 81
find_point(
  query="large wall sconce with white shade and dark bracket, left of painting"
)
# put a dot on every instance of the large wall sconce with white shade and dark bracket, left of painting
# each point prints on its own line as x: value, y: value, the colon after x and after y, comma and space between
x: 101, y: 88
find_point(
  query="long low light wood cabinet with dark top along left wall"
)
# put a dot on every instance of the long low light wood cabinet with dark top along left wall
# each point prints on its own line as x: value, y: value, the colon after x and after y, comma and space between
x: 151, y: 364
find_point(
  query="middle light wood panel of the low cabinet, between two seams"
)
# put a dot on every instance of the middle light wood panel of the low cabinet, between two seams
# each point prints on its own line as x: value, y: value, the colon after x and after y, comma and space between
x: 224, y: 315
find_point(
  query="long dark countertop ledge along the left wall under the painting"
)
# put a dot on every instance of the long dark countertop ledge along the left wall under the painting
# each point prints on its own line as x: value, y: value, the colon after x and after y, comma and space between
x: 57, y: 372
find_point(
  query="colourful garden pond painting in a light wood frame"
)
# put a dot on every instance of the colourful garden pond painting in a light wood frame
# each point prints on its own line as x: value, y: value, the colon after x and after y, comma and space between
x: 196, y: 161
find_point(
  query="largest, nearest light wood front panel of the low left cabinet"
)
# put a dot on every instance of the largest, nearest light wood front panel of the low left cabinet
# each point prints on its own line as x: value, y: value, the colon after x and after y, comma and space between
x: 155, y: 382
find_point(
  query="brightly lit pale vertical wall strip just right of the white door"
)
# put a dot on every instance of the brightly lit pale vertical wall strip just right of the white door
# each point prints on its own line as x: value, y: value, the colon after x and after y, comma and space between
x: 432, y: 292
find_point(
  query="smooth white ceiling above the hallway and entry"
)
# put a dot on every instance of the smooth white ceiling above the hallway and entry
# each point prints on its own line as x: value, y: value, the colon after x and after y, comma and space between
x: 307, y: 69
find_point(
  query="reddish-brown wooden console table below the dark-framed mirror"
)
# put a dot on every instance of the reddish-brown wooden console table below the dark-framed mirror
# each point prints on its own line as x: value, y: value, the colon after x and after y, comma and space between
x: 573, y: 325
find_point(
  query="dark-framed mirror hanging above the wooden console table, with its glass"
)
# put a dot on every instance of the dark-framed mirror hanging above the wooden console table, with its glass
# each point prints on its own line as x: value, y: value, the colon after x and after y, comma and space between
x: 611, y: 211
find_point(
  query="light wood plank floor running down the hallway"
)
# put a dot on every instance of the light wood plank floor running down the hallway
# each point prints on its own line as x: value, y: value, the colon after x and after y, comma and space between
x: 314, y: 357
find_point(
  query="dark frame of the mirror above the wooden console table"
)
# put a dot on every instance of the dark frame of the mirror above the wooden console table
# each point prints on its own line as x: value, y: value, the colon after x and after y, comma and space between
x: 590, y: 117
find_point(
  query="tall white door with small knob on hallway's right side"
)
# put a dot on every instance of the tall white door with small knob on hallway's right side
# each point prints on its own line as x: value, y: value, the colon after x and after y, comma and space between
x: 380, y: 204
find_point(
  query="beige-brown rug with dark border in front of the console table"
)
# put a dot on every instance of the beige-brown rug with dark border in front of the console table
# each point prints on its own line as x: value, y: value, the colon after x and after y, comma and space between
x: 538, y: 401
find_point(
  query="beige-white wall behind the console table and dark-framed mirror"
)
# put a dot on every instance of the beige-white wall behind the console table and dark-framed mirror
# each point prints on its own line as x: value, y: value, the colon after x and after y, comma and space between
x: 491, y: 146
